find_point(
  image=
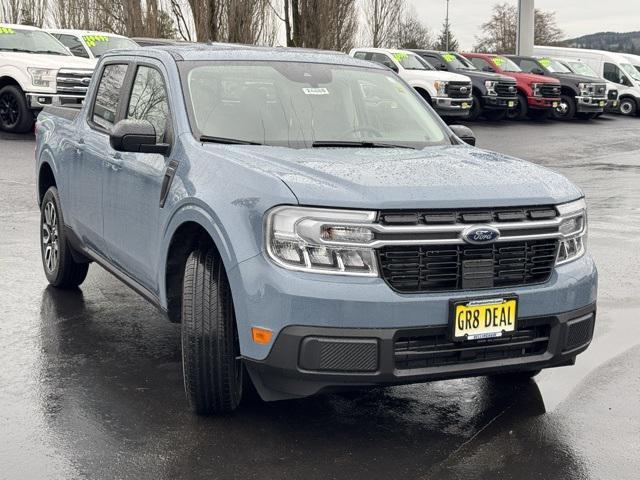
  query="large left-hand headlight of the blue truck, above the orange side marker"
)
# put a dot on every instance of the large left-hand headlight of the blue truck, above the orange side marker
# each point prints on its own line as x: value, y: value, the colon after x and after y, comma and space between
x: 321, y: 240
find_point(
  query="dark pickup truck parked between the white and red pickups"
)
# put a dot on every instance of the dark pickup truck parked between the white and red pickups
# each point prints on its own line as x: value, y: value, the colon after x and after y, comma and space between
x: 493, y: 94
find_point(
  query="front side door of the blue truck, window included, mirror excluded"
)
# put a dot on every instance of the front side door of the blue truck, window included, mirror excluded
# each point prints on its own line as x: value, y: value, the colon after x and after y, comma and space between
x: 133, y: 183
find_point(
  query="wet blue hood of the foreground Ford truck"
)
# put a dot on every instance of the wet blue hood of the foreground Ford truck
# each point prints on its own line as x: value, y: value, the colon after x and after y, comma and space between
x: 436, y: 177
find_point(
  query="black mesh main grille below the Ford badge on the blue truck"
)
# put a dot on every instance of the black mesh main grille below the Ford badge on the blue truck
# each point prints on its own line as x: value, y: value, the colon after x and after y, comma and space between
x: 427, y: 268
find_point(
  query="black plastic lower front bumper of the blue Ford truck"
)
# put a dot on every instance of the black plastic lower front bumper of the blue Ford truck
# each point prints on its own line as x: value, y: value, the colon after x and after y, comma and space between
x: 307, y: 360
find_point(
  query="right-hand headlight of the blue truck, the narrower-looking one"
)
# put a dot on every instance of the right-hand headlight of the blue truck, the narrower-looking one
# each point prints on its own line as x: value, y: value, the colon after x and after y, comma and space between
x: 573, y: 228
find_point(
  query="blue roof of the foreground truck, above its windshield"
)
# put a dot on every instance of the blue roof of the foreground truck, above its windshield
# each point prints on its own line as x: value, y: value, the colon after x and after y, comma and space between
x: 228, y: 51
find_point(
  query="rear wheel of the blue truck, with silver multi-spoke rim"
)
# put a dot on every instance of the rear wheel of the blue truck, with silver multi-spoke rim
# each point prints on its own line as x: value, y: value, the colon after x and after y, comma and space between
x: 60, y: 268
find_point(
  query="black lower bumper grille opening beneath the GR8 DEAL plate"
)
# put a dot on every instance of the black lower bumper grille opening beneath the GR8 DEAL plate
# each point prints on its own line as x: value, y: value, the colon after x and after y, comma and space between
x: 432, y: 347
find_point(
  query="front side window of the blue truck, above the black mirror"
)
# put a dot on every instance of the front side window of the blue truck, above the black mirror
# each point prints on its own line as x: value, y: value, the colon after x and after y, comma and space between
x: 149, y: 100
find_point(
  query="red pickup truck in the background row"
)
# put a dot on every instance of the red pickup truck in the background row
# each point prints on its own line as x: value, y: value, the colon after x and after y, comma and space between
x: 538, y: 95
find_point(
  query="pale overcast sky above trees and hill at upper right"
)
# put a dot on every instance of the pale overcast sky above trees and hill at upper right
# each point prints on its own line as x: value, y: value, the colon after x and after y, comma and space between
x: 575, y: 17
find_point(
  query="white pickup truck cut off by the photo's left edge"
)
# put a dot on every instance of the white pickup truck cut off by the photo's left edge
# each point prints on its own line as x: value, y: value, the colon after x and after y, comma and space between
x: 36, y: 70
